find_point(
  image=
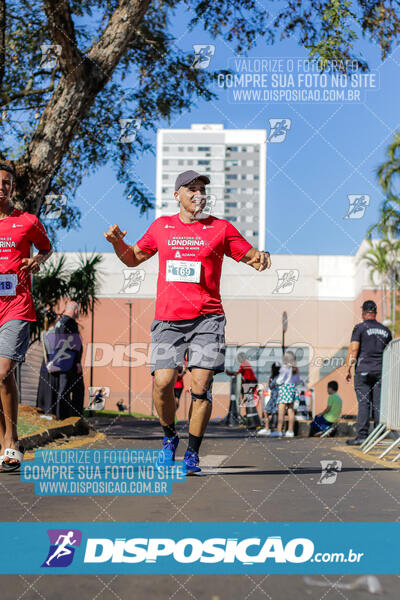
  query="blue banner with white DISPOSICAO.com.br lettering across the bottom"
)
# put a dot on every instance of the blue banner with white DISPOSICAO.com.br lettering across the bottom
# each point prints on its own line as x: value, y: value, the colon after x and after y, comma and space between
x: 213, y: 548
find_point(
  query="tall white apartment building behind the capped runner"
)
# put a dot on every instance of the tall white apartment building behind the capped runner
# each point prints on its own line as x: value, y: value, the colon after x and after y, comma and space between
x: 234, y: 159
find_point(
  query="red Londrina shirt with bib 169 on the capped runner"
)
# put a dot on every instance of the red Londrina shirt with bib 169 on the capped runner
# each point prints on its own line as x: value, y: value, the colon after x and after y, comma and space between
x: 190, y: 264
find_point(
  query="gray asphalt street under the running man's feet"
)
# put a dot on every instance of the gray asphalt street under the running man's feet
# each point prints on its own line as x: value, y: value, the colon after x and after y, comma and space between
x: 246, y: 479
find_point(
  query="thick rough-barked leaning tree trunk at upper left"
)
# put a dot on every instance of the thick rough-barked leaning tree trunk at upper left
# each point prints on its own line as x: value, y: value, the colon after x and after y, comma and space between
x: 70, y: 102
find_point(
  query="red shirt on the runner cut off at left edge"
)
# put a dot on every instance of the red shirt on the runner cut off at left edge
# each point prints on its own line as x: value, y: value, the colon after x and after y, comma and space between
x: 17, y: 232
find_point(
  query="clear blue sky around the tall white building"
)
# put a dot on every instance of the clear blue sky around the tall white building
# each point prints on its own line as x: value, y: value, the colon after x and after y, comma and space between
x: 331, y: 150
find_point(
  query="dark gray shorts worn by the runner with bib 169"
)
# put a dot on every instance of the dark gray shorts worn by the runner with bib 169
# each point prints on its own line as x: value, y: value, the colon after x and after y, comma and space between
x: 203, y: 337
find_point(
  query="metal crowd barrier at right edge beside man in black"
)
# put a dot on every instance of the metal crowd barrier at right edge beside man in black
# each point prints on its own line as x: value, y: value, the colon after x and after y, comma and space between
x: 389, y: 416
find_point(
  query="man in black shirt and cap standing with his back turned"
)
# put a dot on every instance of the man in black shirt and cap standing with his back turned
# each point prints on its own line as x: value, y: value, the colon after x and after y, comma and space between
x: 368, y: 341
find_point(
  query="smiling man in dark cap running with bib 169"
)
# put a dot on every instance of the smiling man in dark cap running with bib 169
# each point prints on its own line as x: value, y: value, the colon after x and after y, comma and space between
x: 189, y: 312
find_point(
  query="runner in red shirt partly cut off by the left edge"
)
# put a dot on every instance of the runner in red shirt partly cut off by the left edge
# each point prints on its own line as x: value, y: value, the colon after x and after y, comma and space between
x: 18, y: 230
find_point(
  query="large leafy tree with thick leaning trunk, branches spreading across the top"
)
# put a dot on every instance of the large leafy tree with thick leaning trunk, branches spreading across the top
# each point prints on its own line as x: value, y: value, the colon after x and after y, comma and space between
x: 119, y: 59
